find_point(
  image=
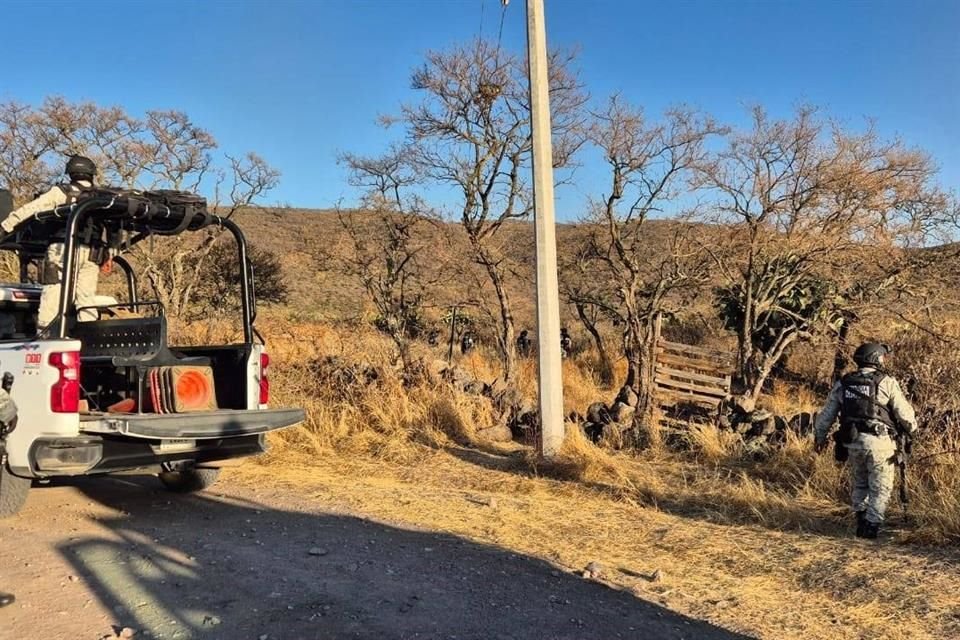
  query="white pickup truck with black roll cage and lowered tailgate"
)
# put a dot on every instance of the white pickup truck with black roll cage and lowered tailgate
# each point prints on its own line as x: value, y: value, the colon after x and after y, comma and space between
x: 87, y: 392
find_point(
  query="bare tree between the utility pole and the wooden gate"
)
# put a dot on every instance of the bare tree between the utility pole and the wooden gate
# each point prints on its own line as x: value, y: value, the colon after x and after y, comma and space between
x: 643, y: 262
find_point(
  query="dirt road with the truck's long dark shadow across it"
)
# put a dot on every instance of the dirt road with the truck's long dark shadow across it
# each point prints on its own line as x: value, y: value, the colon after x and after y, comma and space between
x: 88, y: 557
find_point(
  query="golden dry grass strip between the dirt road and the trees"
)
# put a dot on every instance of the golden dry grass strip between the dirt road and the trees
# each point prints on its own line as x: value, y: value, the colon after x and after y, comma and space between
x: 743, y: 535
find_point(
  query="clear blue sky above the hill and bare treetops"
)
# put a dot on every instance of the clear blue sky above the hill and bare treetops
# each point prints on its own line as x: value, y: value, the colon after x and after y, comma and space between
x: 299, y: 82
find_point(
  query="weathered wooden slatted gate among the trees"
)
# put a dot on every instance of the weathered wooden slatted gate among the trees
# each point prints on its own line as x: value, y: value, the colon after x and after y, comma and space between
x: 683, y: 374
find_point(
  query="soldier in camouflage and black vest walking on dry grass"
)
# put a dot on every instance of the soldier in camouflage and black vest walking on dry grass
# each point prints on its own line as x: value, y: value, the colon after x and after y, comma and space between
x: 872, y: 409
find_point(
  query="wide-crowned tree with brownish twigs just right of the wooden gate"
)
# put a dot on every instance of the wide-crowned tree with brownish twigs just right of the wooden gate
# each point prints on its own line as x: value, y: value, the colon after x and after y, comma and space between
x: 800, y: 197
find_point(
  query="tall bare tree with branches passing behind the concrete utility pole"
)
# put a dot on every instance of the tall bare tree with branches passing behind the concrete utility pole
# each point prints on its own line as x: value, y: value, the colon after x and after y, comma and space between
x: 471, y: 134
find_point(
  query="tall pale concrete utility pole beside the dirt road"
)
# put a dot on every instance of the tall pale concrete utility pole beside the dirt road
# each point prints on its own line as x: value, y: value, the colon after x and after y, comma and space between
x: 548, y: 295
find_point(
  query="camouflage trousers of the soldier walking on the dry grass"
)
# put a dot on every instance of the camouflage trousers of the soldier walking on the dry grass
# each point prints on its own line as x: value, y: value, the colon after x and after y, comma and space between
x: 872, y: 474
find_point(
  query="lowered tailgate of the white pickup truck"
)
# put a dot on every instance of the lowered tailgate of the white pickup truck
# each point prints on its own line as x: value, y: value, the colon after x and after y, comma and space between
x: 223, y: 423
